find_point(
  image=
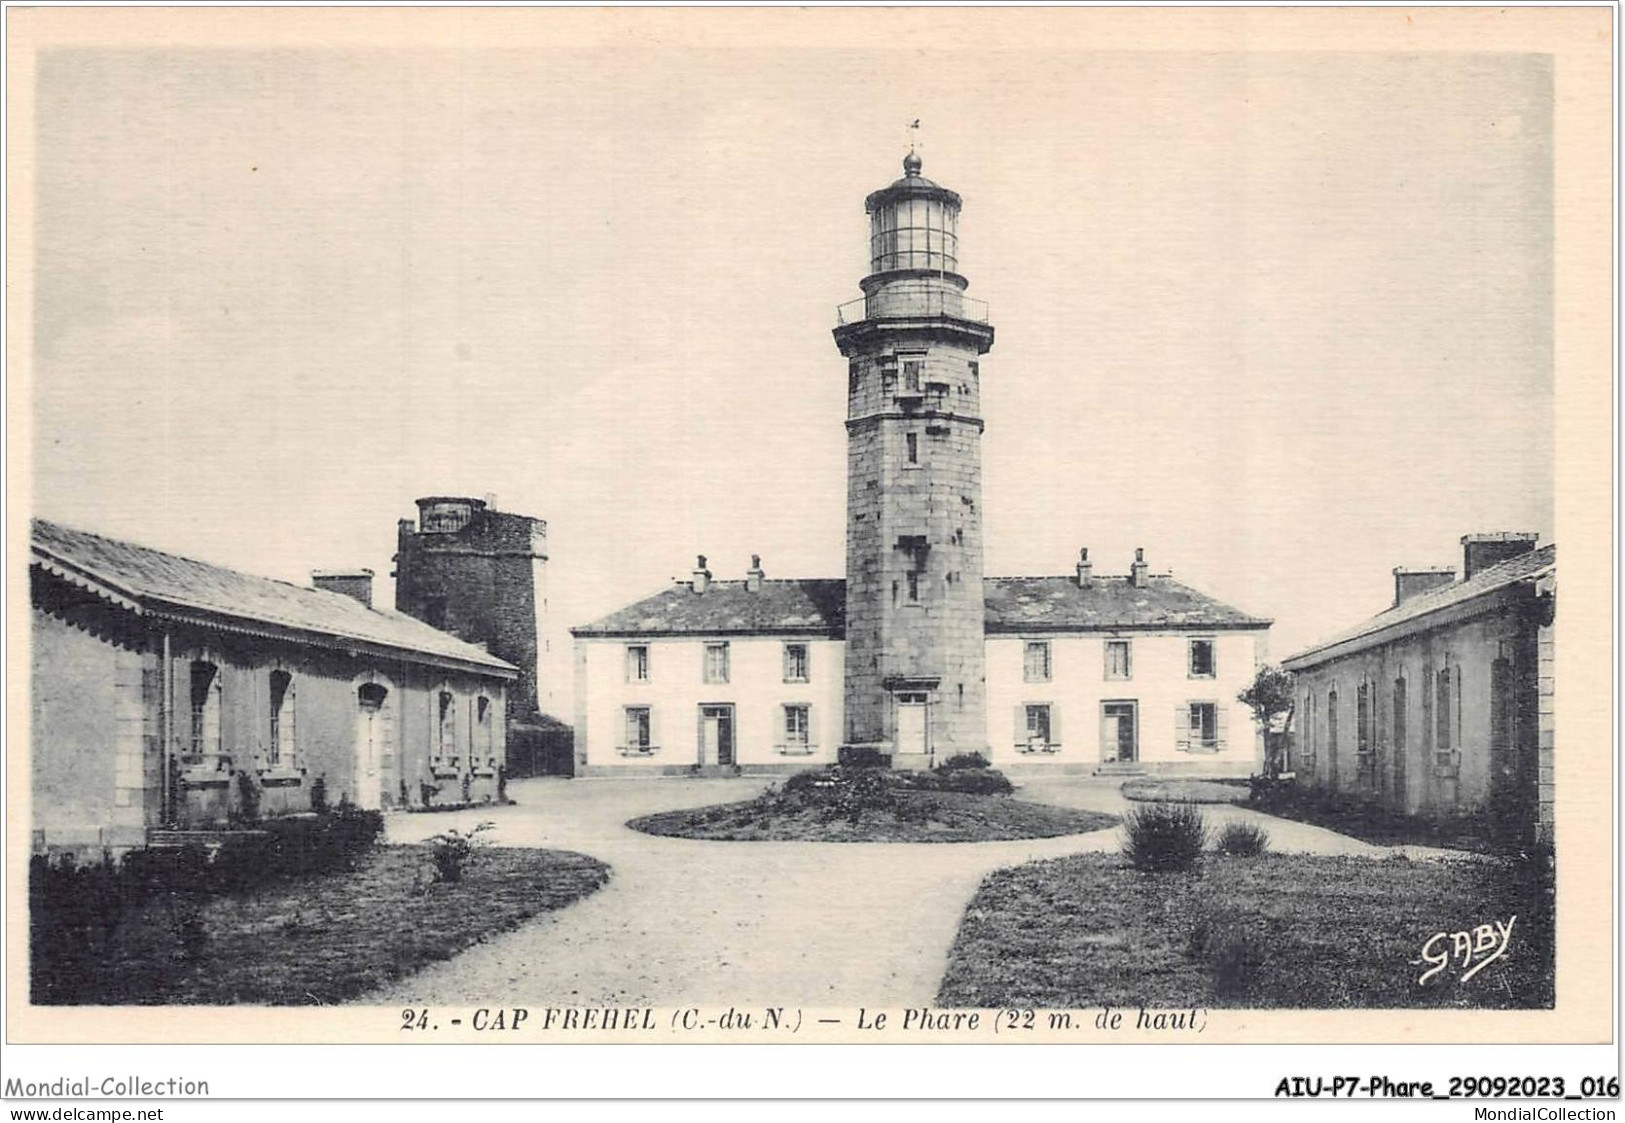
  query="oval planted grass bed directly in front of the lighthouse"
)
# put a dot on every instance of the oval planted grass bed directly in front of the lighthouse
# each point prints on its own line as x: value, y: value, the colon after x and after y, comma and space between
x: 917, y: 817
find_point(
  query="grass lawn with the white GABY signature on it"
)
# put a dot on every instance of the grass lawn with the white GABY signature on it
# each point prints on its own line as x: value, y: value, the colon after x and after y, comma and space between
x: 1270, y: 932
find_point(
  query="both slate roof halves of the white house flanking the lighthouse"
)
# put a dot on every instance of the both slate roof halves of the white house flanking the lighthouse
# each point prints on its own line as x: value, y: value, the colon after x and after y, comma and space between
x: 817, y: 607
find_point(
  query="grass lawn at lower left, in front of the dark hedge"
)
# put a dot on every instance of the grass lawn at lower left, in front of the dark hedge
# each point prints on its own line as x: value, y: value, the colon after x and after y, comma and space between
x: 326, y: 939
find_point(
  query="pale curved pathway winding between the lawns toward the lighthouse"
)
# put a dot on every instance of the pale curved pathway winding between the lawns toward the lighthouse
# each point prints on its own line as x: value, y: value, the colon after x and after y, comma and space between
x: 687, y: 922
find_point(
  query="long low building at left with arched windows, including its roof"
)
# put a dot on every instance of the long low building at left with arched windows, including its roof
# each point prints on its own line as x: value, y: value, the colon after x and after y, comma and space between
x: 175, y: 695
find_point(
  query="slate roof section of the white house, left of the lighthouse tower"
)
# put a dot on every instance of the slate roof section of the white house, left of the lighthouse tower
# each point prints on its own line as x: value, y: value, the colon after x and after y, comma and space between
x: 797, y: 607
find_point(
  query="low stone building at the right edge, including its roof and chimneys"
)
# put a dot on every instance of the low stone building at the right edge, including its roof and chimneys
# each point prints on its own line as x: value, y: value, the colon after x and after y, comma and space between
x: 1445, y: 703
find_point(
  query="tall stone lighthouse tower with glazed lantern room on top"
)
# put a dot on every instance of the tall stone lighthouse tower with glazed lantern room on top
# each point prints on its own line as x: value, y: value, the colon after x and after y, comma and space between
x: 916, y: 669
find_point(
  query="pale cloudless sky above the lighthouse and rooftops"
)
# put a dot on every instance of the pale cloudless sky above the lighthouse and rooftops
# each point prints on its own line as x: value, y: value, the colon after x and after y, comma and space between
x: 1281, y: 319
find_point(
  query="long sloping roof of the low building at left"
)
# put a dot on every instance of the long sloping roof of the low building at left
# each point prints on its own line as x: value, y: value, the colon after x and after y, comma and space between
x: 154, y: 583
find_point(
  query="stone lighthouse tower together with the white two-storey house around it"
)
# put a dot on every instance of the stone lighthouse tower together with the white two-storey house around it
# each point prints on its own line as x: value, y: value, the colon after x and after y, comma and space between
x: 916, y: 656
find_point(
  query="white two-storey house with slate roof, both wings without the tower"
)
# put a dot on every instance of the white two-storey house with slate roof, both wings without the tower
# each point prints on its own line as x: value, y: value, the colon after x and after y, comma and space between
x: 1085, y: 674
